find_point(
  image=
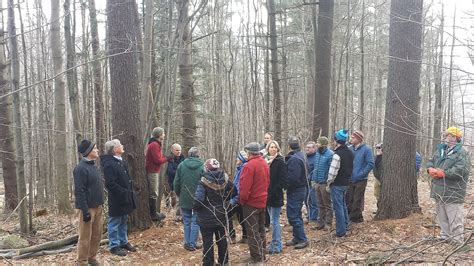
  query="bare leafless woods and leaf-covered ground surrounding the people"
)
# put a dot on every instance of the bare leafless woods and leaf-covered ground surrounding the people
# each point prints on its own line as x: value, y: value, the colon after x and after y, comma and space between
x: 218, y: 74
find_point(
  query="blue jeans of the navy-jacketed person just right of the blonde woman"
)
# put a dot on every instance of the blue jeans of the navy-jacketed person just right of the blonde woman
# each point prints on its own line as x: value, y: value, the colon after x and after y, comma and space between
x: 294, y: 203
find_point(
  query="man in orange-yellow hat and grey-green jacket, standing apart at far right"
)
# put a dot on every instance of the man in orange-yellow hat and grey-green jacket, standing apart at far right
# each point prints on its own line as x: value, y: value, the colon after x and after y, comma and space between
x: 449, y: 168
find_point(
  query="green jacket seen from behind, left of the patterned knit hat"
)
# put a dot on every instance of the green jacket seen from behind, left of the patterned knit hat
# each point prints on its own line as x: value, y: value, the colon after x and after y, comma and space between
x: 186, y: 180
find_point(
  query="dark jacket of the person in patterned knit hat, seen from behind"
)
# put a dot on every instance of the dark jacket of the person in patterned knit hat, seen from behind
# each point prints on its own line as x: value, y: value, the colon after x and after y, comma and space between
x: 212, y: 197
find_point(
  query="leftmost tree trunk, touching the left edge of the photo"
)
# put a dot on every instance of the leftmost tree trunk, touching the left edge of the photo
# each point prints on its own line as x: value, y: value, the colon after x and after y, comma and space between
x: 6, y: 135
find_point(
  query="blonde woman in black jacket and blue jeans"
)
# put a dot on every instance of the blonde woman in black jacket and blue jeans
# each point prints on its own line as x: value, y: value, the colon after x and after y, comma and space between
x: 278, y: 173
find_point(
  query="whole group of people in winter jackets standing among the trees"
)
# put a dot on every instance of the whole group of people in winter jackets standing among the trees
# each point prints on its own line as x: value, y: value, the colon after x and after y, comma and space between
x: 330, y: 182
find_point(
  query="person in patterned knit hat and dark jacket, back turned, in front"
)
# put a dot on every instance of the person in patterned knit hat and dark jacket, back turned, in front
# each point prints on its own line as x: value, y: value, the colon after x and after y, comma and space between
x: 211, y: 202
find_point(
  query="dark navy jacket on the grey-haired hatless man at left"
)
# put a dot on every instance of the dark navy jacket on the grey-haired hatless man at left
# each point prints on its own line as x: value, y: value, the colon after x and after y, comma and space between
x: 119, y: 184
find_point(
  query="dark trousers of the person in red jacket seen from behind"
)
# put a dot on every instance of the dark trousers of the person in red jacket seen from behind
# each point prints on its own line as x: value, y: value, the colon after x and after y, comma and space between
x: 255, y: 223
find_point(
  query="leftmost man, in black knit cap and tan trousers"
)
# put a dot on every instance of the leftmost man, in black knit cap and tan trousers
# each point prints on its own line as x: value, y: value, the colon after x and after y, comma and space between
x: 89, y: 197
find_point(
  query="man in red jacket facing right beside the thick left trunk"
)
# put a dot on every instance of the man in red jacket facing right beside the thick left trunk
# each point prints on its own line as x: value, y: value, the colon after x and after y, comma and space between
x: 153, y: 162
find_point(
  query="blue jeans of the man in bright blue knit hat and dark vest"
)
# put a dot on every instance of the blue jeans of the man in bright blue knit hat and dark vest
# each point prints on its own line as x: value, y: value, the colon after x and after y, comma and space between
x: 338, y: 197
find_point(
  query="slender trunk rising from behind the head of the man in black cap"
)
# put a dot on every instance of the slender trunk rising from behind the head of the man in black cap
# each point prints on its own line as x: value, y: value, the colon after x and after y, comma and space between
x: 71, y: 74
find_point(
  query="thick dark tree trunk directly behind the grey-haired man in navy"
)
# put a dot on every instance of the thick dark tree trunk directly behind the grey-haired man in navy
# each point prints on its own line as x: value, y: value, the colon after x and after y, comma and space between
x: 123, y: 28
